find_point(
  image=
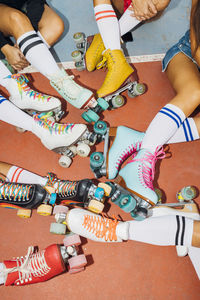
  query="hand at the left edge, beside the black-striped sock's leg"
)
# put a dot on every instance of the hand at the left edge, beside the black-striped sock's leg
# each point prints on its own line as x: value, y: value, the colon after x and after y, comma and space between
x: 15, y: 57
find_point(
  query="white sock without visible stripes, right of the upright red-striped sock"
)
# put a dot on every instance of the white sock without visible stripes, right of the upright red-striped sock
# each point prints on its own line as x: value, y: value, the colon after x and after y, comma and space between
x: 127, y: 22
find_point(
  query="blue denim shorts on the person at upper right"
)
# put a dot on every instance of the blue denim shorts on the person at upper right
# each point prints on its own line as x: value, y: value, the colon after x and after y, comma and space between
x: 182, y: 46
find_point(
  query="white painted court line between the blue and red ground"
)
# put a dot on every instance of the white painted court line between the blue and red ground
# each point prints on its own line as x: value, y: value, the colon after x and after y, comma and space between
x: 130, y: 59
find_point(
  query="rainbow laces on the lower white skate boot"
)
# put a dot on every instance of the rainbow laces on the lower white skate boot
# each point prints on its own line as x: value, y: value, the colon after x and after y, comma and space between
x: 53, y: 127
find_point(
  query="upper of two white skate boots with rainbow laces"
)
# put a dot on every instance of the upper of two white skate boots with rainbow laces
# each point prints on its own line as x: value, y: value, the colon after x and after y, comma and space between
x: 29, y: 100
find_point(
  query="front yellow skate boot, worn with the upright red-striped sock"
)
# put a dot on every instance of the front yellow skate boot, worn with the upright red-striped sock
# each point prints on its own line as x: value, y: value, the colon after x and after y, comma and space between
x: 119, y: 72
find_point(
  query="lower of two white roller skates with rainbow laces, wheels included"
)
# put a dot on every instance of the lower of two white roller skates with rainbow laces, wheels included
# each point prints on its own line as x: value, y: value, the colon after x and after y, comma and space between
x: 63, y: 138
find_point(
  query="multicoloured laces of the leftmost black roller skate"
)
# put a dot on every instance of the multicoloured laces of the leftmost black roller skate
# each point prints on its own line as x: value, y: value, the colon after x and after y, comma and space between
x: 14, y: 192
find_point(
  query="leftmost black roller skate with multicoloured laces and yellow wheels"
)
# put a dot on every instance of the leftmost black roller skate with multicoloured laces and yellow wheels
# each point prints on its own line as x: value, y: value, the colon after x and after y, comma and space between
x: 26, y: 197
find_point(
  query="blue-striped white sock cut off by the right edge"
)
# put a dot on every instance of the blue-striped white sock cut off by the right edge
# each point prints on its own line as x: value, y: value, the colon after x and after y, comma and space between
x: 187, y: 132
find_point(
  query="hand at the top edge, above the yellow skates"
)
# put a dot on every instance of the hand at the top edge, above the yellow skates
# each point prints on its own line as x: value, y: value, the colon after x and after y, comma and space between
x: 143, y: 9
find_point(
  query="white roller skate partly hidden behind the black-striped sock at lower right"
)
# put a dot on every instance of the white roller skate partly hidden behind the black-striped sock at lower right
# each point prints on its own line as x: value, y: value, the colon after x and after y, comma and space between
x: 185, y: 207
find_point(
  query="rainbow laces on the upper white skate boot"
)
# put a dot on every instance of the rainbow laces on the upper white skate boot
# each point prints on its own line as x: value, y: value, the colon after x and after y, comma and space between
x: 22, y: 81
